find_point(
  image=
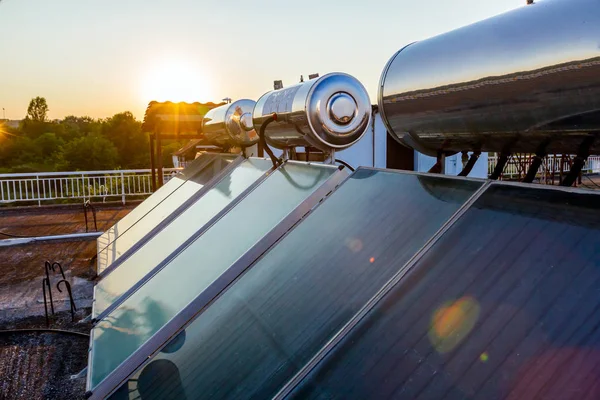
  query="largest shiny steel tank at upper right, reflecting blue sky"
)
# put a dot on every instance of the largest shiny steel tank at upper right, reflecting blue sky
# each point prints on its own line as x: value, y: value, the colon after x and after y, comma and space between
x: 512, y: 82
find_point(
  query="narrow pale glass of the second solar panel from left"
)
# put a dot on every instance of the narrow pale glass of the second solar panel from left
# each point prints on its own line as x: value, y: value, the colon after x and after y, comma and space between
x: 177, y: 232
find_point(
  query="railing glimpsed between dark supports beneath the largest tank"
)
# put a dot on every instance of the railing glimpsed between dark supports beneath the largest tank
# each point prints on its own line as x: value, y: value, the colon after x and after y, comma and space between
x: 517, y: 165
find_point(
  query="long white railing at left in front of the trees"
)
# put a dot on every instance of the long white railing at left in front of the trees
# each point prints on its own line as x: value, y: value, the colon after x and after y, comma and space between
x: 56, y: 186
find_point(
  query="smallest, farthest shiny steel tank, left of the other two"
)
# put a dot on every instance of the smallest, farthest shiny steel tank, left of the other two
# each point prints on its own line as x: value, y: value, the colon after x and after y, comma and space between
x: 231, y: 124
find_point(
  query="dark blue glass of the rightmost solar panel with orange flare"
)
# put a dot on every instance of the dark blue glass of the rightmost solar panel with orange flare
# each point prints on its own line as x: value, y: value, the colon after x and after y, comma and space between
x: 513, y: 292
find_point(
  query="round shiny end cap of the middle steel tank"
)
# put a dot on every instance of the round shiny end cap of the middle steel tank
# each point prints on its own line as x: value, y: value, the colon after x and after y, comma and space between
x: 339, y: 110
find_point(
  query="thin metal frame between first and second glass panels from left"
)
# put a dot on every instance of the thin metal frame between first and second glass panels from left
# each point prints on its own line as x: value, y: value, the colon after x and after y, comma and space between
x: 172, y: 216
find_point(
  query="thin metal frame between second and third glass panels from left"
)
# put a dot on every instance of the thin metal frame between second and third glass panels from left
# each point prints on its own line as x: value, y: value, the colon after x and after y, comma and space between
x: 183, y: 246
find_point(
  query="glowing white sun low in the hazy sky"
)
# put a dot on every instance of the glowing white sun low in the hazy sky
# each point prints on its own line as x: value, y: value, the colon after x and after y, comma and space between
x: 175, y: 81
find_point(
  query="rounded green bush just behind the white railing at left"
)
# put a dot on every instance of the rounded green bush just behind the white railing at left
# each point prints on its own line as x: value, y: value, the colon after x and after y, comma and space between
x: 90, y: 153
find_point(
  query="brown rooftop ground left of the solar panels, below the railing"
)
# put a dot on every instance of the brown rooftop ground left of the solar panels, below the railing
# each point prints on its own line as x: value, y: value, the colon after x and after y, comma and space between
x: 39, y: 365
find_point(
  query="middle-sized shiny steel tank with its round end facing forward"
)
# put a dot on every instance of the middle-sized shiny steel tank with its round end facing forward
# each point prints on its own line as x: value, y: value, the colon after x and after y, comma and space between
x: 330, y: 113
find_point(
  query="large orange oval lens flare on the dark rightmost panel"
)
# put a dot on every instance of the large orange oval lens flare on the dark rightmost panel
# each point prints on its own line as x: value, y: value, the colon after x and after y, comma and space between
x: 452, y: 323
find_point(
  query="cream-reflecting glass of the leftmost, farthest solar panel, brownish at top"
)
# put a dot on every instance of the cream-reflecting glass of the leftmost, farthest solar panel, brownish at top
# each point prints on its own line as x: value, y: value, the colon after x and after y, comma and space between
x: 157, y: 207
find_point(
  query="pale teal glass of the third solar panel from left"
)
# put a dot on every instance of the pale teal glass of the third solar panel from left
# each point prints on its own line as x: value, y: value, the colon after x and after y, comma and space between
x: 201, y: 263
